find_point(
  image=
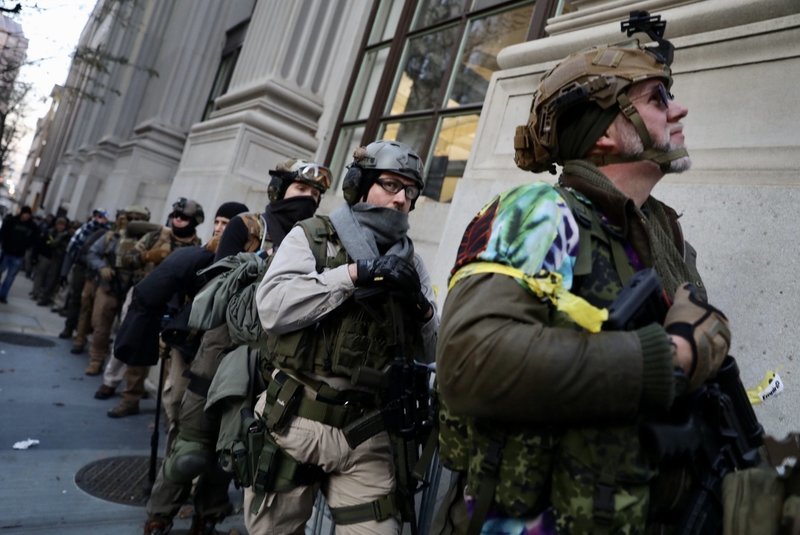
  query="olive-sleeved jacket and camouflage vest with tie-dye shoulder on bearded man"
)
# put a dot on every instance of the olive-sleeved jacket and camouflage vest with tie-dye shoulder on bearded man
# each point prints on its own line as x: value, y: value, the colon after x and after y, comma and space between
x: 563, y: 405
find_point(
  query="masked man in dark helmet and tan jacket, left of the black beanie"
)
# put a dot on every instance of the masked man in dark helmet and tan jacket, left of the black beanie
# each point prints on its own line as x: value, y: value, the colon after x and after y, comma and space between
x: 146, y: 254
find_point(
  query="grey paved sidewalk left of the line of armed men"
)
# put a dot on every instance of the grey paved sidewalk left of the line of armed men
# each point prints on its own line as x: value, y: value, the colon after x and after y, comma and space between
x: 46, y: 396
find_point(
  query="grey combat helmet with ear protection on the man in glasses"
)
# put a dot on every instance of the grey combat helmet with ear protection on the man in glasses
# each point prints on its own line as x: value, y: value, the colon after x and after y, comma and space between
x: 382, y: 155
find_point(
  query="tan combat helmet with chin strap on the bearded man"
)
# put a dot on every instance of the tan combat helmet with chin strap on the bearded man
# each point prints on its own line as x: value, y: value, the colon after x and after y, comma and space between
x: 599, y: 75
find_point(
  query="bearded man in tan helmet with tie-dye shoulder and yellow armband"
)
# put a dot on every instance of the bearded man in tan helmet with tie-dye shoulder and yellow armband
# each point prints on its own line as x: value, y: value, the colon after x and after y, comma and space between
x: 548, y: 441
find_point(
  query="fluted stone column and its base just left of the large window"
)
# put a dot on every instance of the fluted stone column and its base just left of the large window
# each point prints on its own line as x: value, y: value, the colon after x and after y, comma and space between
x: 293, y: 67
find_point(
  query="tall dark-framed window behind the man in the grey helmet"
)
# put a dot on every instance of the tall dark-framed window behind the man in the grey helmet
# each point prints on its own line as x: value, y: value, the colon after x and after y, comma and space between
x: 423, y: 74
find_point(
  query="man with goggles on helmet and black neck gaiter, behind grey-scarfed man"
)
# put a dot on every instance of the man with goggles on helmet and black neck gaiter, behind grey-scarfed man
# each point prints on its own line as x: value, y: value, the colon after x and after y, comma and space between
x: 294, y: 192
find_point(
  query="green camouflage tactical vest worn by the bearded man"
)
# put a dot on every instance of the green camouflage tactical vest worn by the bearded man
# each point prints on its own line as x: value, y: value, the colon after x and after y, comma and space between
x: 596, y: 479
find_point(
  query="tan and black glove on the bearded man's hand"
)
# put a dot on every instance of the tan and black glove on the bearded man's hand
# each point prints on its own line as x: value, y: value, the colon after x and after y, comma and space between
x: 706, y: 330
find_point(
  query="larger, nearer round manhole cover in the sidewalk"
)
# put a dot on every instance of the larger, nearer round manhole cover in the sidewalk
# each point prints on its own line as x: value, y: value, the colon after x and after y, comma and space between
x: 117, y: 479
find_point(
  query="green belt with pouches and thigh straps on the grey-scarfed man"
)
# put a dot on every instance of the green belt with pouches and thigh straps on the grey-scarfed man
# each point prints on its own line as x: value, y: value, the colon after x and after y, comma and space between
x: 258, y: 461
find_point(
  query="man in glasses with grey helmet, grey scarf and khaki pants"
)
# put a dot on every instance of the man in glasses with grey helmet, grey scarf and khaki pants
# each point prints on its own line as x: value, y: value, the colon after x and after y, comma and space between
x: 343, y: 299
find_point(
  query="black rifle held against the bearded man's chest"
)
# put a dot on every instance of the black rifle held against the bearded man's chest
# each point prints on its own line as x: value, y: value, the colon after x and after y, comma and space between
x: 711, y: 432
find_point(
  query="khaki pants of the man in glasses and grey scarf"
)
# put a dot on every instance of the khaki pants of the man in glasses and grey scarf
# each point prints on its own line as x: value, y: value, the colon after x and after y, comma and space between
x: 355, y: 476
